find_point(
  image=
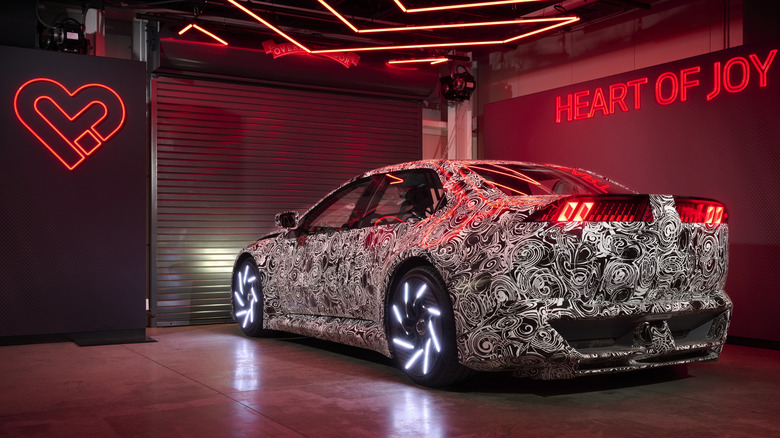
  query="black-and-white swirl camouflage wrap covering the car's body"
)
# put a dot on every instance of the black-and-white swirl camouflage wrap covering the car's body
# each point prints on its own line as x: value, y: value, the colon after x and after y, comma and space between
x: 544, y: 299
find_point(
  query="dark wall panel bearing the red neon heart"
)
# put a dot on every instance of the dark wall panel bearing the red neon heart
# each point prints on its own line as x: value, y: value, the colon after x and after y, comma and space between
x: 72, y: 231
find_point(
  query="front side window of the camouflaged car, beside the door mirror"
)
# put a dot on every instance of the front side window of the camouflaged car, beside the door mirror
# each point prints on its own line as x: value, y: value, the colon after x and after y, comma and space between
x: 341, y: 210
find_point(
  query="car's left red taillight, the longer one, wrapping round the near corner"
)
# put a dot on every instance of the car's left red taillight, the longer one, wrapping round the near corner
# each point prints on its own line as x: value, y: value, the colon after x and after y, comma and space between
x: 605, y: 208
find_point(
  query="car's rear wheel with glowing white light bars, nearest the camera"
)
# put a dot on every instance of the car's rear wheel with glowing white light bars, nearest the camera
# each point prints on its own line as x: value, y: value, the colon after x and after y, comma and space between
x: 421, y: 330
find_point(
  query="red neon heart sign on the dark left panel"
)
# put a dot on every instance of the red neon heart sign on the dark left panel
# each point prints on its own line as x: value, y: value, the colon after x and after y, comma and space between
x: 71, y: 125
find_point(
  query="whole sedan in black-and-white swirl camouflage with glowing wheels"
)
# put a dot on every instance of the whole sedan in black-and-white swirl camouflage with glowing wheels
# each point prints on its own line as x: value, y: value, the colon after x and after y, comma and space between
x: 453, y: 266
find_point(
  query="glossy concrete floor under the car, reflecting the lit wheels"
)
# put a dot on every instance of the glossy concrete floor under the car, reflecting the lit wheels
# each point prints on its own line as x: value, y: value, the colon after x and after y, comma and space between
x: 211, y: 381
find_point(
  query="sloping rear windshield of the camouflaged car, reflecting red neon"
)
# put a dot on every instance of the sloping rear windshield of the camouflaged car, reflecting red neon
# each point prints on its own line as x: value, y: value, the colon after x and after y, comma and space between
x: 523, y: 180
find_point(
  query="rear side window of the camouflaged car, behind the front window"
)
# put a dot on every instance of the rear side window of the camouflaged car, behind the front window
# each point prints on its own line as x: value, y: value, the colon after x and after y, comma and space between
x: 404, y: 196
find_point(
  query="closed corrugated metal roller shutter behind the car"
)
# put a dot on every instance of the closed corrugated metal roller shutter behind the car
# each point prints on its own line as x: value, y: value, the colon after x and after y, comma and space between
x: 228, y: 156
